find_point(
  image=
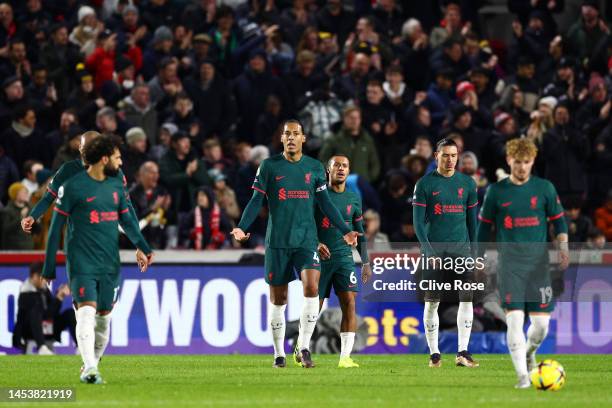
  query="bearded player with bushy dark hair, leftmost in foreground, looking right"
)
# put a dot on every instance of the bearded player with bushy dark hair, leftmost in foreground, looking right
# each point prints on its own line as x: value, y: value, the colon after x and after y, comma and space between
x: 93, y: 202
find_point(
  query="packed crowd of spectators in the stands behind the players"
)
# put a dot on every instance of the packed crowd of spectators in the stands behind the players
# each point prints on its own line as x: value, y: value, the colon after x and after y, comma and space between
x: 198, y: 91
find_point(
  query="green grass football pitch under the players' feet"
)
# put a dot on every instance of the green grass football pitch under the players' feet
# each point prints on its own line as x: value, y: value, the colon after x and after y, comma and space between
x: 250, y: 380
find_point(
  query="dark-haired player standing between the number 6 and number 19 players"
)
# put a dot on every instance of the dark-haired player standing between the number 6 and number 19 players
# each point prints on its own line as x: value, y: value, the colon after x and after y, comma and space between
x: 445, y: 215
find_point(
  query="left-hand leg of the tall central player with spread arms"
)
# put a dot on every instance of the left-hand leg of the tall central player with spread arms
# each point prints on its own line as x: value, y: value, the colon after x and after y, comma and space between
x: 277, y: 267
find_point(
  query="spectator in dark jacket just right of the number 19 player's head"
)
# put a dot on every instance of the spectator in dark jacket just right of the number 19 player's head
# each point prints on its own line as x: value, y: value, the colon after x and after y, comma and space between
x: 565, y: 151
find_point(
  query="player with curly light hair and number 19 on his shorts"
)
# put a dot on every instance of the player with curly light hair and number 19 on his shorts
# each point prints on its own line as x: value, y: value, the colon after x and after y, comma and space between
x: 520, y: 207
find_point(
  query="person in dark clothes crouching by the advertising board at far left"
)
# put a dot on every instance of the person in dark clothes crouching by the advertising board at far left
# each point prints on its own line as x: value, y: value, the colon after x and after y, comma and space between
x: 40, y: 318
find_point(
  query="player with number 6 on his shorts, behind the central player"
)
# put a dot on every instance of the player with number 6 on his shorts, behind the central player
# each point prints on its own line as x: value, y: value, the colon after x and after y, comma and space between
x: 337, y: 266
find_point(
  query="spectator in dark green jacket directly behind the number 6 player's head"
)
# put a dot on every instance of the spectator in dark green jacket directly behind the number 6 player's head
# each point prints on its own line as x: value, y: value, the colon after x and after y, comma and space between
x: 355, y: 143
